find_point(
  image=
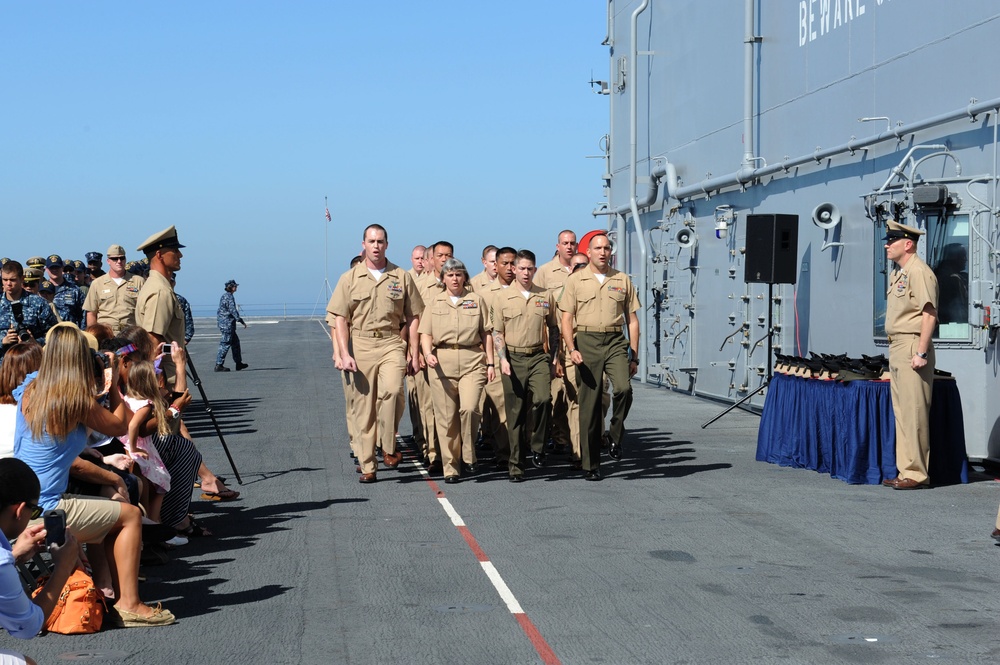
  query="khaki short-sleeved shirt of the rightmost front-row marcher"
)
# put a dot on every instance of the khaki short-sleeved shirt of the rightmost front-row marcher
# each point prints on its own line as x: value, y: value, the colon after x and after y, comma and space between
x: 596, y: 304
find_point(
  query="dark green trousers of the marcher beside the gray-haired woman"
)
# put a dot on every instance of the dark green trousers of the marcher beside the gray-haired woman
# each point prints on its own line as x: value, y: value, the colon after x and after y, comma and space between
x: 526, y: 396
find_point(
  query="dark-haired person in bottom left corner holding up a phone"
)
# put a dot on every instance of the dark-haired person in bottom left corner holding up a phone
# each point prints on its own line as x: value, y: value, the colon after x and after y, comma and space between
x: 20, y: 615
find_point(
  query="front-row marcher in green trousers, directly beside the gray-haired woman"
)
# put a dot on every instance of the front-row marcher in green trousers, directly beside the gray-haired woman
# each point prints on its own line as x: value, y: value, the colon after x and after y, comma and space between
x: 521, y: 333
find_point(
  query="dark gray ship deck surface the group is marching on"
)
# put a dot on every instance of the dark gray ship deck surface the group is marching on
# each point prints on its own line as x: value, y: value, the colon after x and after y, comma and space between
x: 688, y: 552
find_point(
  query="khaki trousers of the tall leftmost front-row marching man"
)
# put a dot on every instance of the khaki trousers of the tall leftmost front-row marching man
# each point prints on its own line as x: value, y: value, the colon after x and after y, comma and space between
x: 378, y: 386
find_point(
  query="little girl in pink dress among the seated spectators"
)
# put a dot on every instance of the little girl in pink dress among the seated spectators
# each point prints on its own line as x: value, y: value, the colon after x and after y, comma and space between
x: 144, y: 399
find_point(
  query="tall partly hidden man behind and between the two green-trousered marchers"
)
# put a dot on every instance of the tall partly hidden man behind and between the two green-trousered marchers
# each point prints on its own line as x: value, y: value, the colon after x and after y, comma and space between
x: 552, y: 276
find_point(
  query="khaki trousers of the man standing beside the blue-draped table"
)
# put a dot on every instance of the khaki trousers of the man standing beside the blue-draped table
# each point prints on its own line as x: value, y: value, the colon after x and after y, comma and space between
x: 911, y: 405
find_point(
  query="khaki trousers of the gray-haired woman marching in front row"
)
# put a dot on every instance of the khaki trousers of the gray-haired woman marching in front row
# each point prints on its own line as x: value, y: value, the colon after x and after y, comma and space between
x: 456, y: 405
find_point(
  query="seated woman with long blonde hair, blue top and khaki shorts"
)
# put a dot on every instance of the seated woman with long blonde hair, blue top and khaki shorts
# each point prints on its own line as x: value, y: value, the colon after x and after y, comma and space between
x: 57, y: 406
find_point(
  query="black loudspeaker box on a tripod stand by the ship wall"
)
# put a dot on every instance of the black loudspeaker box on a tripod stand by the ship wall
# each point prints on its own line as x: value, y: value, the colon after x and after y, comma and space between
x: 772, y: 249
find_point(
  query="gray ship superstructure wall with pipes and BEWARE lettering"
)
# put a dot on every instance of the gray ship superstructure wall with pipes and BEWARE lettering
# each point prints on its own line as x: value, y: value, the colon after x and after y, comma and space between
x: 867, y: 109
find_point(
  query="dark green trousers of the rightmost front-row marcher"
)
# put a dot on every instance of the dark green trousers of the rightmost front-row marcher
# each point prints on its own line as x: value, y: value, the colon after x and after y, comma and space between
x: 603, y: 354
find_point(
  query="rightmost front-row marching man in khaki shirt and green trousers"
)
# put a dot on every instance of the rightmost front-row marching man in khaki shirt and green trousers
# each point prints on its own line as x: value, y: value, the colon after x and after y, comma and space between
x: 602, y: 300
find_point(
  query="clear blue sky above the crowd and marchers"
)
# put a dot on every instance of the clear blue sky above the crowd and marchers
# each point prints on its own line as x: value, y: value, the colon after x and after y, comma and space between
x: 469, y: 122
